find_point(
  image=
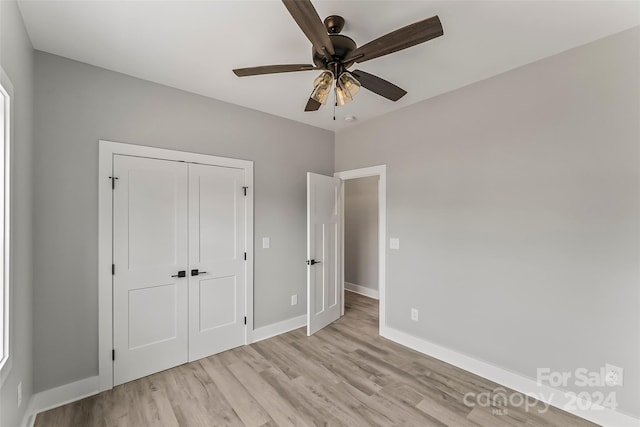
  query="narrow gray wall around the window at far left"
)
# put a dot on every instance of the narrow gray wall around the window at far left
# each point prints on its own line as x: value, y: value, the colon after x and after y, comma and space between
x: 16, y: 58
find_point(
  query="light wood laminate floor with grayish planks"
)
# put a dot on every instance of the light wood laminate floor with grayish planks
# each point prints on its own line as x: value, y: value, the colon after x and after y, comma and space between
x: 343, y: 375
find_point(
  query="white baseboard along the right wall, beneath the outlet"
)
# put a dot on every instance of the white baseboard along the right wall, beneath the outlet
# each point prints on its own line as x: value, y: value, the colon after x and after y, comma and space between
x: 552, y: 396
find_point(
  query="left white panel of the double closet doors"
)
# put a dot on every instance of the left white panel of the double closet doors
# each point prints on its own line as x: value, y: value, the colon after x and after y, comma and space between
x: 150, y: 248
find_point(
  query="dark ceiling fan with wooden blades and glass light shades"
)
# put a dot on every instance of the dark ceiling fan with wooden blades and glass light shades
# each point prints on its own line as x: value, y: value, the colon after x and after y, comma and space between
x: 334, y: 53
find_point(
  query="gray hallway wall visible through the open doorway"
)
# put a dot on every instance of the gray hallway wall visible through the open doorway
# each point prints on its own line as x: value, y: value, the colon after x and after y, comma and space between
x: 361, y: 232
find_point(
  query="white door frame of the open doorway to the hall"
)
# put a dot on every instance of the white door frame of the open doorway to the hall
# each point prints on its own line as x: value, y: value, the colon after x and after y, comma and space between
x: 381, y: 172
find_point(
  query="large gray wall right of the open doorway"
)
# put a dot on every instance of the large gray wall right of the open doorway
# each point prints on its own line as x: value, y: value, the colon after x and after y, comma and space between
x: 516, y: 201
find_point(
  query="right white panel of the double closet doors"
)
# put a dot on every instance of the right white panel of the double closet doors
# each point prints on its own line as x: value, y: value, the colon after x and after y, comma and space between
x: 217, y: 221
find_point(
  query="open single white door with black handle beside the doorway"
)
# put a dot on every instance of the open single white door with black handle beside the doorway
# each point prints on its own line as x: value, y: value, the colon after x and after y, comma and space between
x: 323, y: 251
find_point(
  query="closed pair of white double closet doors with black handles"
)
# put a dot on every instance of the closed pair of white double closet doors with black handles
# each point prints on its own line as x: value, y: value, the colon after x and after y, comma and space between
x: 179, y: 282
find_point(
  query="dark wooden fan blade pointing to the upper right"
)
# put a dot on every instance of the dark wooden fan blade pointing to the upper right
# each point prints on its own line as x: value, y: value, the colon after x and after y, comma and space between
x: 403, y: 38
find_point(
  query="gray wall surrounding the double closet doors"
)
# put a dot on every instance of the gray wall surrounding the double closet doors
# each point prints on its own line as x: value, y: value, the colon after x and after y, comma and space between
x: 76, y: 105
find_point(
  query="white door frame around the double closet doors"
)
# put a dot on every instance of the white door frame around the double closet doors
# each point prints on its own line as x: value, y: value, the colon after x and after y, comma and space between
x: 107, y: 150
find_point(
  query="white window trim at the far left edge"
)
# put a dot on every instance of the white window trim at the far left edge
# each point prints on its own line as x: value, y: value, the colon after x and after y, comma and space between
x: 6, y: 338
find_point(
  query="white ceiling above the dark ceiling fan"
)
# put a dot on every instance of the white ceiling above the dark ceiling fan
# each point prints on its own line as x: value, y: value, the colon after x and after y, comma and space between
x: 194, y: 45
